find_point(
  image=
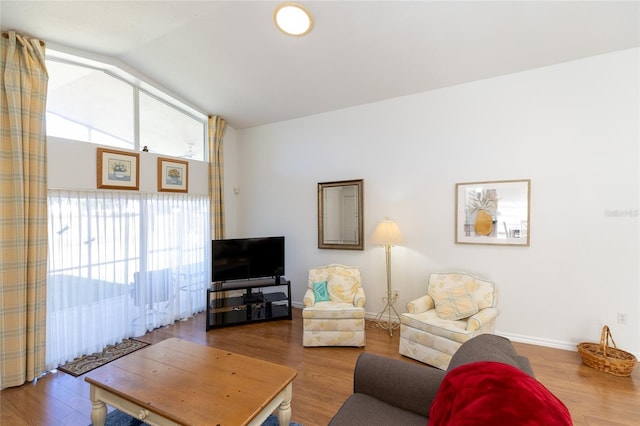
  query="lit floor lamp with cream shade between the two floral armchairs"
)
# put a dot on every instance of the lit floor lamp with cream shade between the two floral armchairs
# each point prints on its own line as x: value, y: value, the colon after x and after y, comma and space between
x: 388, y: 234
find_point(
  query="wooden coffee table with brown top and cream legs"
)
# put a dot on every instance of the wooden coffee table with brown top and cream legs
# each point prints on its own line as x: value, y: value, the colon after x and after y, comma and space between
x: 176, y: 382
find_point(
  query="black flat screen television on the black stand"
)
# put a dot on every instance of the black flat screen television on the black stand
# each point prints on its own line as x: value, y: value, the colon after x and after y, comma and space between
x: 246, y: 258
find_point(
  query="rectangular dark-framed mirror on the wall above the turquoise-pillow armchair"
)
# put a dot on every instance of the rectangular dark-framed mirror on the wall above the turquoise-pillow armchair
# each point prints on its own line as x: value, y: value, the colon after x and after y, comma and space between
x: 340, y: 215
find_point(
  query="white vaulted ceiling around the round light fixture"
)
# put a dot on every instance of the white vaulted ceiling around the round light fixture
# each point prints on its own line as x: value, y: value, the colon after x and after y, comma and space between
x: 227, y: 57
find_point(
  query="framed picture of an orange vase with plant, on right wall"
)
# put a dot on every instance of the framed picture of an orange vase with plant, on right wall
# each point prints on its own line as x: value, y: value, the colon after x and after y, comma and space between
x: 495, y: 213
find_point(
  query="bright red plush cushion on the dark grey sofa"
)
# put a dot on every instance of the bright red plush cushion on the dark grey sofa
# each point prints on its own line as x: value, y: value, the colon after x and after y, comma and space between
x: 493, y: 393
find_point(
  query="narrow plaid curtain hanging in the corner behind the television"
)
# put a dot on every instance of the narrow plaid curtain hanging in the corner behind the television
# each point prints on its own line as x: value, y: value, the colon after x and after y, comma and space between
x: 217, y: 126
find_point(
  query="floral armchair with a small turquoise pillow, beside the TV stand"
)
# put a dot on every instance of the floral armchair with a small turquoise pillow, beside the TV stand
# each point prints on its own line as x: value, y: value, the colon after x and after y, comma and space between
x: 334, y: 307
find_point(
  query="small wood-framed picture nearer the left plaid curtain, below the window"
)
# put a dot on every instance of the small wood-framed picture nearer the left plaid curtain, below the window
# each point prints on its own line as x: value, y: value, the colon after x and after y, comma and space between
x: 118, y: 169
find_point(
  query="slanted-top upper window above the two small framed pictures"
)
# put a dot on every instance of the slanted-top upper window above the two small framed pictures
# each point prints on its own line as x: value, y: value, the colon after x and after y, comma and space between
x: 90, y: 104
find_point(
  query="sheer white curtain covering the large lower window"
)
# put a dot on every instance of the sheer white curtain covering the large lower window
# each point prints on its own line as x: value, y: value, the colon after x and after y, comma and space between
x: 120, y: 264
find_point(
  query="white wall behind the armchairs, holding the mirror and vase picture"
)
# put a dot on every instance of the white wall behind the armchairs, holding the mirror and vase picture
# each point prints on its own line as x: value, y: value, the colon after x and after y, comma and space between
x: 570, y: 128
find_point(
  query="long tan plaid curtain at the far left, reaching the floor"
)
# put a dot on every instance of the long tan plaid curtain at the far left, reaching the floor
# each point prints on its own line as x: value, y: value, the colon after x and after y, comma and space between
x: 23, y: 209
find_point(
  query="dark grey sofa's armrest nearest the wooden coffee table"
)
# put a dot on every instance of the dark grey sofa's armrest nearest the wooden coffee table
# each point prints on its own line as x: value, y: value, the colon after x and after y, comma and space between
x: 399, y: 383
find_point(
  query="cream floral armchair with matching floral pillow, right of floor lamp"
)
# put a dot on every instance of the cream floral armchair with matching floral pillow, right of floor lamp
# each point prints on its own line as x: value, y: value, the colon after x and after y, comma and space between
x: 457, y: 307
